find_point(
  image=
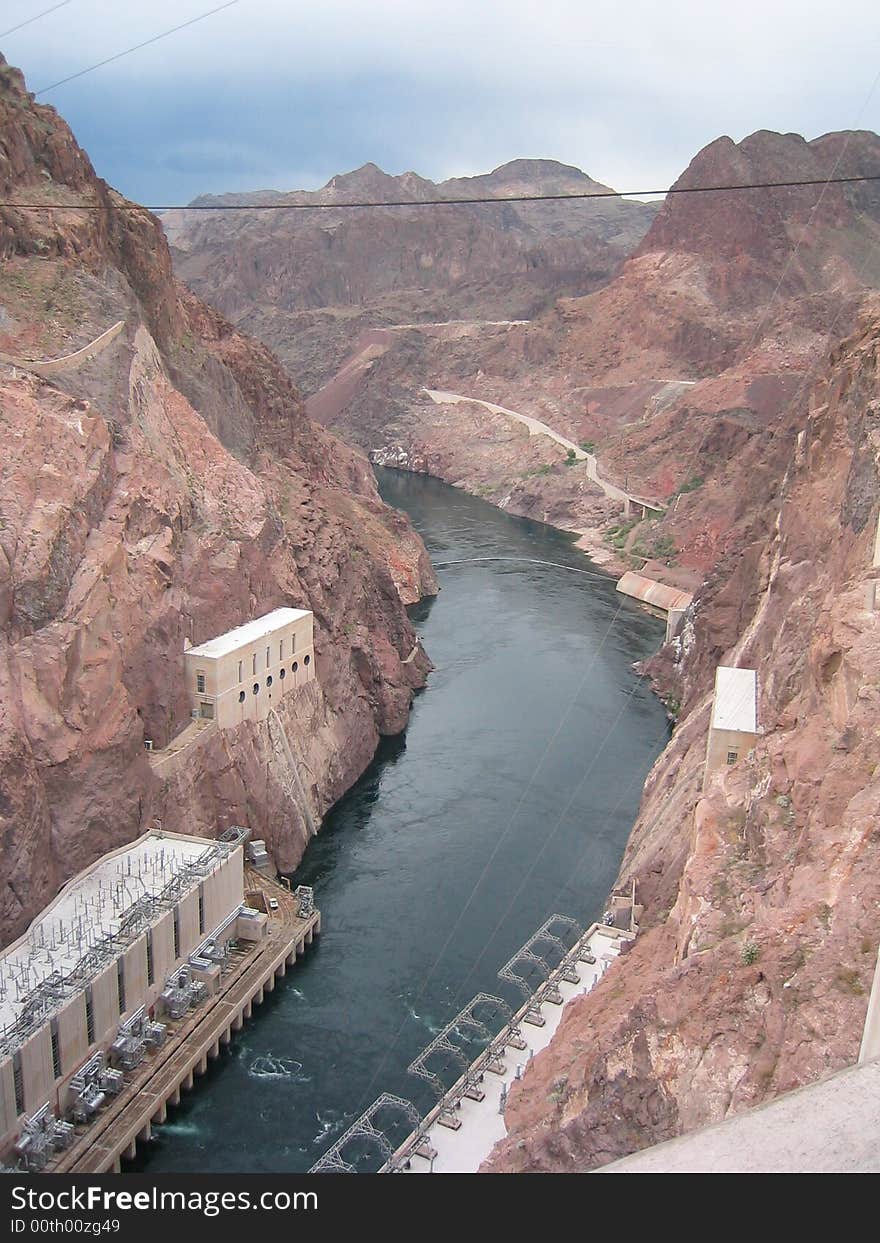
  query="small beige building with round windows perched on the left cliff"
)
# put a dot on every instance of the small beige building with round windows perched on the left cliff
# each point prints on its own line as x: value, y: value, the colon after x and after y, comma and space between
x: 243, y: 674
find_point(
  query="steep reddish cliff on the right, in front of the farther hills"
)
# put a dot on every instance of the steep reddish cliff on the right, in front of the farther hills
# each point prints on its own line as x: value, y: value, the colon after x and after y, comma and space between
x: 763, y: 892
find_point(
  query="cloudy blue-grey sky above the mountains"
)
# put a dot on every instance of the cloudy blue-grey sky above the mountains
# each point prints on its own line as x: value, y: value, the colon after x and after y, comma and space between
x: 283, y: 95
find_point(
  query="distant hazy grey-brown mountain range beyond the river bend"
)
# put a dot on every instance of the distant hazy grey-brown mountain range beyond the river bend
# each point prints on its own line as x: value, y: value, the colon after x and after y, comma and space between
x: 308, y: 283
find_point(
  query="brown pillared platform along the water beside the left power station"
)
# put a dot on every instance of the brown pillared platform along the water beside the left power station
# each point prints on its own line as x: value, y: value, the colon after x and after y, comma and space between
x: 192, y: 1043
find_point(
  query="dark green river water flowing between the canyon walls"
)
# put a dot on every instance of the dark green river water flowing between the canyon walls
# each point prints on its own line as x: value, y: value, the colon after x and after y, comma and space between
x: 519, y: 774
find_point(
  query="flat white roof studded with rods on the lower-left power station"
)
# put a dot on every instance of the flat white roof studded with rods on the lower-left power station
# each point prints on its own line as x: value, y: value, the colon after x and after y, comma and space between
x: 115, y: 898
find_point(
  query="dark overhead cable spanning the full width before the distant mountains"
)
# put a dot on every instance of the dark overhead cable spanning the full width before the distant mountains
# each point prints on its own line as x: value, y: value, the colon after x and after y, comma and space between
x: 579, y: 196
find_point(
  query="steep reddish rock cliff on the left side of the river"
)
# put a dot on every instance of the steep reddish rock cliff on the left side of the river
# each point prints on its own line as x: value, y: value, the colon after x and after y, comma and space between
x: 163, y: 492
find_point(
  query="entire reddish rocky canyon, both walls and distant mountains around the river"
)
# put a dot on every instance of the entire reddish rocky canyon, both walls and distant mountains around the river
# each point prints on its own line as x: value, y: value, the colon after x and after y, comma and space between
x: 718, y: 356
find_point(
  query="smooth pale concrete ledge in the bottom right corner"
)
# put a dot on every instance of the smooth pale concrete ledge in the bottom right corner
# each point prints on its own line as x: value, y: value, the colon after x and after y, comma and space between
x: 832, y: 1127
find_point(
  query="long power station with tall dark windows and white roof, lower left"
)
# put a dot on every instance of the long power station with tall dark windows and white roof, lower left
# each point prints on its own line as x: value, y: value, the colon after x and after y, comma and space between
x: 137, y: 938
